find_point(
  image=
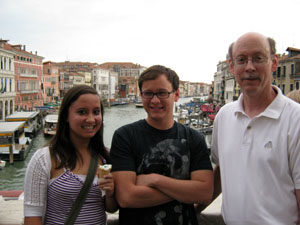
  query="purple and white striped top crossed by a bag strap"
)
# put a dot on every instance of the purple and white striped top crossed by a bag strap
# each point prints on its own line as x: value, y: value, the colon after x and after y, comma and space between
x: 63, y: 192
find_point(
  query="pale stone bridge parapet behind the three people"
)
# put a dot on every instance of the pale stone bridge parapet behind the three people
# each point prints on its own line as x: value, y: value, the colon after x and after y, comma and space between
x: 11, y: 211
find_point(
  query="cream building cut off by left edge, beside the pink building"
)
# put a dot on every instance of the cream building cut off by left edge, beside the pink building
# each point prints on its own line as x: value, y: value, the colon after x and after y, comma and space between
x: 7, y: 82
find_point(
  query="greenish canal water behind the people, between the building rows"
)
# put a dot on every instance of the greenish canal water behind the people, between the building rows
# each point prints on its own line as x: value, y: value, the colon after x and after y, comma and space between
x: 12, y: 176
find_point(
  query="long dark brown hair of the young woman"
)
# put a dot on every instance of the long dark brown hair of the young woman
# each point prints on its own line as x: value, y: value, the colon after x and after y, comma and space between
x: 61, y: 147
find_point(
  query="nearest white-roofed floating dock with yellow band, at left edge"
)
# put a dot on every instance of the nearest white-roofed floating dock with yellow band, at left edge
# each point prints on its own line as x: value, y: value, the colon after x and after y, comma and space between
x: 13, y: 143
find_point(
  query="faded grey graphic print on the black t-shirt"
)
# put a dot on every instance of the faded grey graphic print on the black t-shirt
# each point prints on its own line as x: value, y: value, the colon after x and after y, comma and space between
x: 170, y: 158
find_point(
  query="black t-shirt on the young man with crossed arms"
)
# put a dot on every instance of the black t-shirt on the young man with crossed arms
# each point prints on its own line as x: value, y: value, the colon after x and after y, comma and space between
x: 175, y: 153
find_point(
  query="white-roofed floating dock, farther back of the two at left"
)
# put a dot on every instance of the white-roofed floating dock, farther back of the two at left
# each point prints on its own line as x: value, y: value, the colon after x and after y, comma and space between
x: 32, y: 121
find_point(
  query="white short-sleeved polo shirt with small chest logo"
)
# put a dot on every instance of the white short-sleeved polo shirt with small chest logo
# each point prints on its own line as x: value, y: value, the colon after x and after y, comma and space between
x: 259, y: 160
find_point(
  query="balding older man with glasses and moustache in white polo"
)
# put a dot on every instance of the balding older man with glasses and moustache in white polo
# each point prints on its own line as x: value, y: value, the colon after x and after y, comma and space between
x: 256, y: 142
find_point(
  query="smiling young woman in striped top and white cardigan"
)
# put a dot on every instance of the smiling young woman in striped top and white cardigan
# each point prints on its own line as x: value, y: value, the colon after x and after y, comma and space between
x: 55, y: 174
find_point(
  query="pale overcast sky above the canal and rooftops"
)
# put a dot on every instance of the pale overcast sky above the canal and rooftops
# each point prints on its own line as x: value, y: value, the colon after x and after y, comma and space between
x: 190, y: 36
